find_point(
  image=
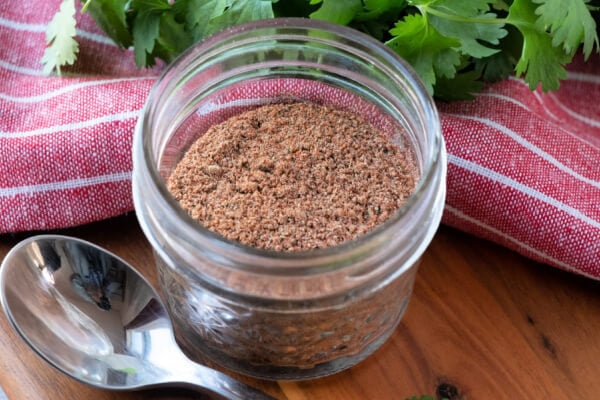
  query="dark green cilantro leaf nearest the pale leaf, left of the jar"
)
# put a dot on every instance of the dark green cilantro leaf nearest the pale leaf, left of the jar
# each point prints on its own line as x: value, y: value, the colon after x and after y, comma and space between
x: 110, y: 16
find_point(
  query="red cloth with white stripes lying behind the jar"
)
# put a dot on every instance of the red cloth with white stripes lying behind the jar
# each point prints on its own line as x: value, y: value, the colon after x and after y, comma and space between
x: 524, y: 168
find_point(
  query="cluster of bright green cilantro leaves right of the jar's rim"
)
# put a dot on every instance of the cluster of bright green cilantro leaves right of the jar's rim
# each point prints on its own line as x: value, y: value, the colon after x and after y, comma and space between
x: 549, y: 40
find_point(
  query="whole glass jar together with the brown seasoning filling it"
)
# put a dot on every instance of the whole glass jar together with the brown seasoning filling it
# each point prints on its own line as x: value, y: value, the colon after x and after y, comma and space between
x: 309, y: 223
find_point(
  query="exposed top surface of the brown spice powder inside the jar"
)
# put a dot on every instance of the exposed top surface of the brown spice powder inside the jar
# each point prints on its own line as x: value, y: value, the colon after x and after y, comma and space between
x: 293, y: 177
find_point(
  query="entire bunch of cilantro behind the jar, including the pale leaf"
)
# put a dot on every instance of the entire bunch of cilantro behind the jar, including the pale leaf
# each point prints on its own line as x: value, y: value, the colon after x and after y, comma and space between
x: 454, y: 45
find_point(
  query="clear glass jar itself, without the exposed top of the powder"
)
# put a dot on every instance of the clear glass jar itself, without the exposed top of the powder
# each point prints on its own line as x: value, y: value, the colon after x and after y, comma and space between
x: 286, y: 315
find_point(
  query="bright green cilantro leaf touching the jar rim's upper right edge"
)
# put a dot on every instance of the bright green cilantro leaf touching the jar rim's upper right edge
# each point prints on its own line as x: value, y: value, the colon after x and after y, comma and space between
x: 430, y: 53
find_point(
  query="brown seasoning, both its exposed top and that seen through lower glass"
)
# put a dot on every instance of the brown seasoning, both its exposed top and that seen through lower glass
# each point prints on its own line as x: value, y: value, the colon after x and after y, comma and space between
x: 289, y: 177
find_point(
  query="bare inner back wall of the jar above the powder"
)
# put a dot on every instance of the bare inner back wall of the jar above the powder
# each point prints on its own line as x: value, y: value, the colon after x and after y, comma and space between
x: 275, y: 71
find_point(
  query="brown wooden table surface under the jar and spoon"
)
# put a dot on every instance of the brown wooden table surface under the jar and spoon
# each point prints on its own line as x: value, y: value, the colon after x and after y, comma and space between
x: 483, y: 323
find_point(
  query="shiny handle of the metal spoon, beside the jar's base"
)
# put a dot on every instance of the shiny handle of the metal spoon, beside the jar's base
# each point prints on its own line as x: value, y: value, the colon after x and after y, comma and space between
x: 217, y: 384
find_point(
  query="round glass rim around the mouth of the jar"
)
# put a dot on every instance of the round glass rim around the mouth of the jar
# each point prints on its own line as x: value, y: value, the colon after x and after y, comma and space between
x: 196, y: 232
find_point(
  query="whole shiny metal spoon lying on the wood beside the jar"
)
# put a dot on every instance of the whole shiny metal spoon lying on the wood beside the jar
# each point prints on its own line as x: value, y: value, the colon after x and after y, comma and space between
x: 96, y: 319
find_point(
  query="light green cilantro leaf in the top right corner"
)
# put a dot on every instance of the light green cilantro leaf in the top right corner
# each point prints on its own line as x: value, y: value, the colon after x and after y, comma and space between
x: 570, y: 23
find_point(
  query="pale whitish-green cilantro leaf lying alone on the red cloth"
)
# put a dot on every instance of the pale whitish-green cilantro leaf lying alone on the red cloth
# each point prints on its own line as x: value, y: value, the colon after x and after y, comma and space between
x: 61, y: 48
